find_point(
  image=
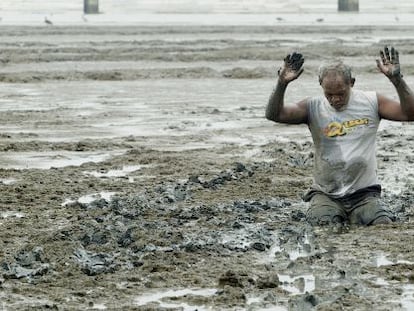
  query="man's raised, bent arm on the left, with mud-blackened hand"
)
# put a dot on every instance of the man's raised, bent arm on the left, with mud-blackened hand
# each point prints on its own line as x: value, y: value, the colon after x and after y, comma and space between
x: 276, y: 109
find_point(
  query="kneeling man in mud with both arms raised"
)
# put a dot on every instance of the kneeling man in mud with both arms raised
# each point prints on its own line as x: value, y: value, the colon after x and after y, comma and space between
x: 343, y: 123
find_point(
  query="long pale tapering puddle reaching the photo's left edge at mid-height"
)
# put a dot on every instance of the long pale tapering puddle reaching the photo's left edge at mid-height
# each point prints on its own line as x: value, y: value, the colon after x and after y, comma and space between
x: 47, y: 160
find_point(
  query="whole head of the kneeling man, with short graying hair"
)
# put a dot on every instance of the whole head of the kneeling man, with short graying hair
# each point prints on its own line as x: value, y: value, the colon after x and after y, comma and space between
x: 336, y: 81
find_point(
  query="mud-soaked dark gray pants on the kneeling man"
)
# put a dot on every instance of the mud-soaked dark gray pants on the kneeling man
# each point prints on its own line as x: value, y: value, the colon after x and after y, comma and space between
x: 360, y: 209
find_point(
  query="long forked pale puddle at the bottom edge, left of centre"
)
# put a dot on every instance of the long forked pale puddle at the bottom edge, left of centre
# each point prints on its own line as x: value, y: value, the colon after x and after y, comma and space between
x: 158, y: 297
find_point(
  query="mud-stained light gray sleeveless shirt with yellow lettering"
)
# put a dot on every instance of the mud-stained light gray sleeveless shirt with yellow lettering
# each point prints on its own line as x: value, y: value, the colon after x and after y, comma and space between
x: 345, y: 143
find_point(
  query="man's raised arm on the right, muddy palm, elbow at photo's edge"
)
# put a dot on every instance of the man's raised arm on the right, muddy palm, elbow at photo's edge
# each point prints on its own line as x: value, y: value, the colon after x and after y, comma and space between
x: 389, y: 65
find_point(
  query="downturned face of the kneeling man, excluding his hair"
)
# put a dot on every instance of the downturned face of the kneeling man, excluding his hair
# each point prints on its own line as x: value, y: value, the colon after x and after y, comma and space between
x: 336, y: 90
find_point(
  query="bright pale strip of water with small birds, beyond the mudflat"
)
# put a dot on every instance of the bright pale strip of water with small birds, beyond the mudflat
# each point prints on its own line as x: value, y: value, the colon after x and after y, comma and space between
x: 211, y: 19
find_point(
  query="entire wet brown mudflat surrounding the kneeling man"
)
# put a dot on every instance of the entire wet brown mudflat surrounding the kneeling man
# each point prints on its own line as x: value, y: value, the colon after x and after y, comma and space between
x: 138, y: 173
